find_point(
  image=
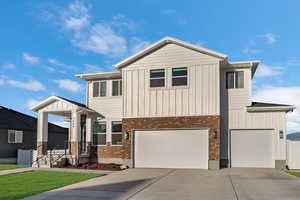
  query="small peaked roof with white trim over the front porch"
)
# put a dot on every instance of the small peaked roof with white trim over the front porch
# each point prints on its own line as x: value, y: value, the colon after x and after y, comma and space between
x: 57, y: 98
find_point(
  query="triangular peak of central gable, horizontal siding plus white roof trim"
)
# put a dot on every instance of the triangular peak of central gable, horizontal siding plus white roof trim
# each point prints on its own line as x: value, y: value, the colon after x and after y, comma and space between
x: 170, y: 50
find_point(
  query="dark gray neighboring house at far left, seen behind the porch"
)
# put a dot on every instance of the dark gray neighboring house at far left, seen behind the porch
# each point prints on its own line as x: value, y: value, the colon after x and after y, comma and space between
x: 18, y: 131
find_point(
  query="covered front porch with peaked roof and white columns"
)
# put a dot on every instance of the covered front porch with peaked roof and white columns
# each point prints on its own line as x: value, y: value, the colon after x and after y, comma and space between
x: 80, y: 117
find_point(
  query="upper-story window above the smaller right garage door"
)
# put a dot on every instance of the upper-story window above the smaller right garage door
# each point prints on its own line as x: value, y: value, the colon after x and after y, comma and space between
x: 235, y: 79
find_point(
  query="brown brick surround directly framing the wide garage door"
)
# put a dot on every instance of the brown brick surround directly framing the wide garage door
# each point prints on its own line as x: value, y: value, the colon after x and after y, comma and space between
x: 156, y: 123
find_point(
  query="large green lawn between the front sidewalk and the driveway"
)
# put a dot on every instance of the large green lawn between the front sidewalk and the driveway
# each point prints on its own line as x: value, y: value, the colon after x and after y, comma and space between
x: 20, y: 185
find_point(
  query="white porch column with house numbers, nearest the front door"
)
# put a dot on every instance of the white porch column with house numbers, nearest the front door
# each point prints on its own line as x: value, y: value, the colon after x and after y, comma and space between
x: 75, y: 133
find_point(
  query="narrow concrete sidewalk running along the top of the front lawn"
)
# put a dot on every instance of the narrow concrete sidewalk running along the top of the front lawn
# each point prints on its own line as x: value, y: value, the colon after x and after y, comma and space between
x: 20, y: 170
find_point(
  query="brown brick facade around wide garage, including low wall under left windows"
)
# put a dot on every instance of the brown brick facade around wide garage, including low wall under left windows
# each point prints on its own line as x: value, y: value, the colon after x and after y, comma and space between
x: 155, y: 123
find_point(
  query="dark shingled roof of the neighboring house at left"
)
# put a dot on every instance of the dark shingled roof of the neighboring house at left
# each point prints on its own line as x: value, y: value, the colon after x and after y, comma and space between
x: 11, y: 119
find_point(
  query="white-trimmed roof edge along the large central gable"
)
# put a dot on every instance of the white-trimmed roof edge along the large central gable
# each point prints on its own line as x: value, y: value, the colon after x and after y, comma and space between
x: 164, y: 41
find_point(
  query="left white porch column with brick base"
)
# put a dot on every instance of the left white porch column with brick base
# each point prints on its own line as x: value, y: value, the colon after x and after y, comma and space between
x: 42, y: 133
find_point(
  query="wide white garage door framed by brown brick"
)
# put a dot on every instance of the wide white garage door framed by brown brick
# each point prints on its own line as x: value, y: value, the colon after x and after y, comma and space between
x: 171, y: 149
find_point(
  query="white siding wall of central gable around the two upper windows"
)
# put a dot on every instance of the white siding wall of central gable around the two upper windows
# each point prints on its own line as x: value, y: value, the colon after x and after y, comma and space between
x: 200, y: 97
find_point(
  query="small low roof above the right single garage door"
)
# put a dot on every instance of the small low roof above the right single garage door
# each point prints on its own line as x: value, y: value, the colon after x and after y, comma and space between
x: 260, y: 106
